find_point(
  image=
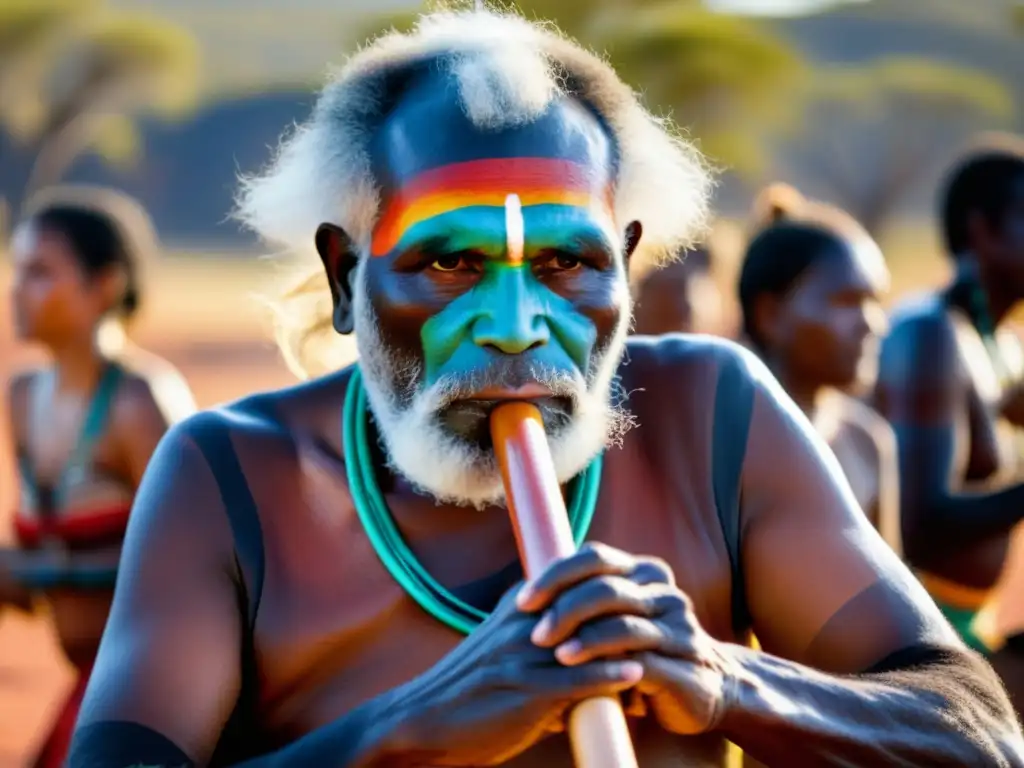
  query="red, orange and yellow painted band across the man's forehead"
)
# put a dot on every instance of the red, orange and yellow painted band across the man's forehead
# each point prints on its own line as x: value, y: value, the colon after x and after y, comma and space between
x: 484, y: 184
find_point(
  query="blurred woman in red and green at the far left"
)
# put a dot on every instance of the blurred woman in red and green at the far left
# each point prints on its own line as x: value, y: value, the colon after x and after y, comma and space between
x: 86, y: 426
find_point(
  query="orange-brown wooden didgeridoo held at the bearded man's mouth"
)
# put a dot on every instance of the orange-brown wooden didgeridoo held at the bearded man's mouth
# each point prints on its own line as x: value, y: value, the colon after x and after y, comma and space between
x: 598, y: 728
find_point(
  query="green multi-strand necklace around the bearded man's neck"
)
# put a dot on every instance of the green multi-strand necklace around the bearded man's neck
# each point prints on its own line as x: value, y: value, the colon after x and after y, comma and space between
x: 386, y: 537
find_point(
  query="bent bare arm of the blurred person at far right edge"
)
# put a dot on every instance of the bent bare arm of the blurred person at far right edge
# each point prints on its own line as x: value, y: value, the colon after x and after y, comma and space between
x: 922, y: 391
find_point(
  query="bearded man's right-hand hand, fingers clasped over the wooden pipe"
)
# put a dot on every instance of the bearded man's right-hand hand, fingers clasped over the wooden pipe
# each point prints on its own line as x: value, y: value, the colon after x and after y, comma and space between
x: 604, y: 604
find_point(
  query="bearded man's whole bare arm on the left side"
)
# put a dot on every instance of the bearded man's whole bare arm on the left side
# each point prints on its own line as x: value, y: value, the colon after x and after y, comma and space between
x: 168, y: 673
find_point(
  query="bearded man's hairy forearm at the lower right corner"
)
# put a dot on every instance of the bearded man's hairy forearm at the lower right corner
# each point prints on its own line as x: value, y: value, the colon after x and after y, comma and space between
x: 923, y: 707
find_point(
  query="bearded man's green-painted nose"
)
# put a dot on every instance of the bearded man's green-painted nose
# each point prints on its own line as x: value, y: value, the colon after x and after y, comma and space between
x: 514, y: 321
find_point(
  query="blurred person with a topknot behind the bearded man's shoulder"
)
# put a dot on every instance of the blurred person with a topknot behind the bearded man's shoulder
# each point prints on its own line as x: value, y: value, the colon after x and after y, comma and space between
x: 809, y: 290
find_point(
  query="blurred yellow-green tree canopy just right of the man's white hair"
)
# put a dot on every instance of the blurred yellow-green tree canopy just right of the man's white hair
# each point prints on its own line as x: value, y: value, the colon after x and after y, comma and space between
x: 729, y: 79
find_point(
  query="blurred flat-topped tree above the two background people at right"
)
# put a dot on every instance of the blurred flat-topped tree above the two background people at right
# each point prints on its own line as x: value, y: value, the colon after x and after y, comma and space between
x: 900, y: 118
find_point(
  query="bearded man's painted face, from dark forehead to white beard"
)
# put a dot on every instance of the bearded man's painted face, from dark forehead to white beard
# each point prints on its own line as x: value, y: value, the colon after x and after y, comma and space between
x: 495, y: 273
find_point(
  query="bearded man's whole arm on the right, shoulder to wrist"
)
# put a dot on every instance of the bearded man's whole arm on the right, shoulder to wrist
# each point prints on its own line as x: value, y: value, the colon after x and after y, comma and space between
x: 877, y: 676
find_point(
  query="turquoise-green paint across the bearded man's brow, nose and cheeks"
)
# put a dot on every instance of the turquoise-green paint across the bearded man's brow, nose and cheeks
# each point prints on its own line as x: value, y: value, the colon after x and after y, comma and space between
x: 511, y: 311
